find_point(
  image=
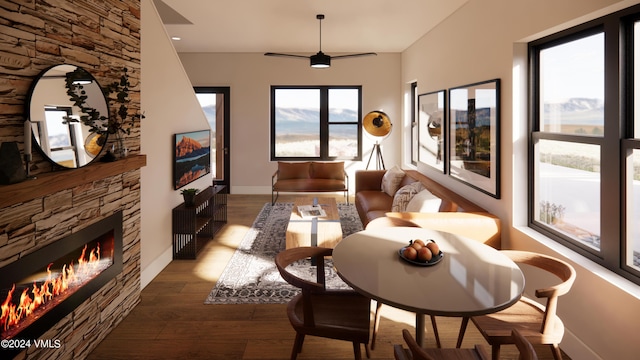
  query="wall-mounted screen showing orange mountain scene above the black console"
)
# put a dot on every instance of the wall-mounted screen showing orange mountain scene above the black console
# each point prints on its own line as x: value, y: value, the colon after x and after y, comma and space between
x: 191, y: 157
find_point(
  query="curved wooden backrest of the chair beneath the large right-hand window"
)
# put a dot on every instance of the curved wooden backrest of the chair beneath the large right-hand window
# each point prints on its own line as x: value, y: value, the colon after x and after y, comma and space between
x: 563, y: 270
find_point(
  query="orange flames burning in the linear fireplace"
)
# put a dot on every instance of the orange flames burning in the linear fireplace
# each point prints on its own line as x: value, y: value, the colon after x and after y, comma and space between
x: 55, y: 285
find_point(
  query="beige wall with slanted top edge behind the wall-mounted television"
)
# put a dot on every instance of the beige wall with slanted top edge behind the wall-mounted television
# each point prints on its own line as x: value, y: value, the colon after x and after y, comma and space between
x: 170, y: 106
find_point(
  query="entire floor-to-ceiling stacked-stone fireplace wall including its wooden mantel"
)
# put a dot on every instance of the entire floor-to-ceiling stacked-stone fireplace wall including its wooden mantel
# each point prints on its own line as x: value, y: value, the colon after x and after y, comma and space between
x: 102, y: 37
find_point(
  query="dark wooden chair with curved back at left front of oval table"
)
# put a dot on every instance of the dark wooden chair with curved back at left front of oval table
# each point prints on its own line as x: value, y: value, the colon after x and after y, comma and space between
x: 317, y: 311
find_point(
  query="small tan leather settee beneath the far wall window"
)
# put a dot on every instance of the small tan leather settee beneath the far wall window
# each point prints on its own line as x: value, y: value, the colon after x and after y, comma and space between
x: 309, y: 176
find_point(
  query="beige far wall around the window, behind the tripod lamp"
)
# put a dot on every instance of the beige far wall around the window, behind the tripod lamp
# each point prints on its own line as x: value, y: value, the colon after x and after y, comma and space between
x: 250, y: 76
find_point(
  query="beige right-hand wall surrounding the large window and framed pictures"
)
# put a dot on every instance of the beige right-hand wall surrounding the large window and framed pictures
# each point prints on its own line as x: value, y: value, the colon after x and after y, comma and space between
x: 485, y: 40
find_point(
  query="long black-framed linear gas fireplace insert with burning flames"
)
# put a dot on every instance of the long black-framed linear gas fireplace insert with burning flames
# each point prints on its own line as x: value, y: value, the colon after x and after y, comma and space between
x: 41, y: 288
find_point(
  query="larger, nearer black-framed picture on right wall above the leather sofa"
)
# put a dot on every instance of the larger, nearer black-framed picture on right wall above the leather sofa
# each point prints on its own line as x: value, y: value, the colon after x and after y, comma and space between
x: 474, y: 140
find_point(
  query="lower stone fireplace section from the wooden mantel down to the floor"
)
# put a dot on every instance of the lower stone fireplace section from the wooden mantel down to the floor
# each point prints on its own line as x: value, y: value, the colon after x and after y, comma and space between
x: 52, y: 217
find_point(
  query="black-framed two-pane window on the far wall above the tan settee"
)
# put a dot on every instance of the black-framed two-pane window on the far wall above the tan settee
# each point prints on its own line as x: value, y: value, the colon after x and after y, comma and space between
x: 316, y: 123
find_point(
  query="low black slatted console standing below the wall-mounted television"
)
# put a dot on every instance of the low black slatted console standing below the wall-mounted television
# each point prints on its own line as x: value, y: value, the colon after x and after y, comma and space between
x: 194, y: 226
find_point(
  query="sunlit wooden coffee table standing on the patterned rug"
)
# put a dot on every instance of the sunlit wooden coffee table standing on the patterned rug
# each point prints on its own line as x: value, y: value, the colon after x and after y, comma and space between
x: 323, y: 231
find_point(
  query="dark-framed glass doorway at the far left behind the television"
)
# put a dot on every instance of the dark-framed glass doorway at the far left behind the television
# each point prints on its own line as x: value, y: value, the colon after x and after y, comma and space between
x: 215, y: 102
